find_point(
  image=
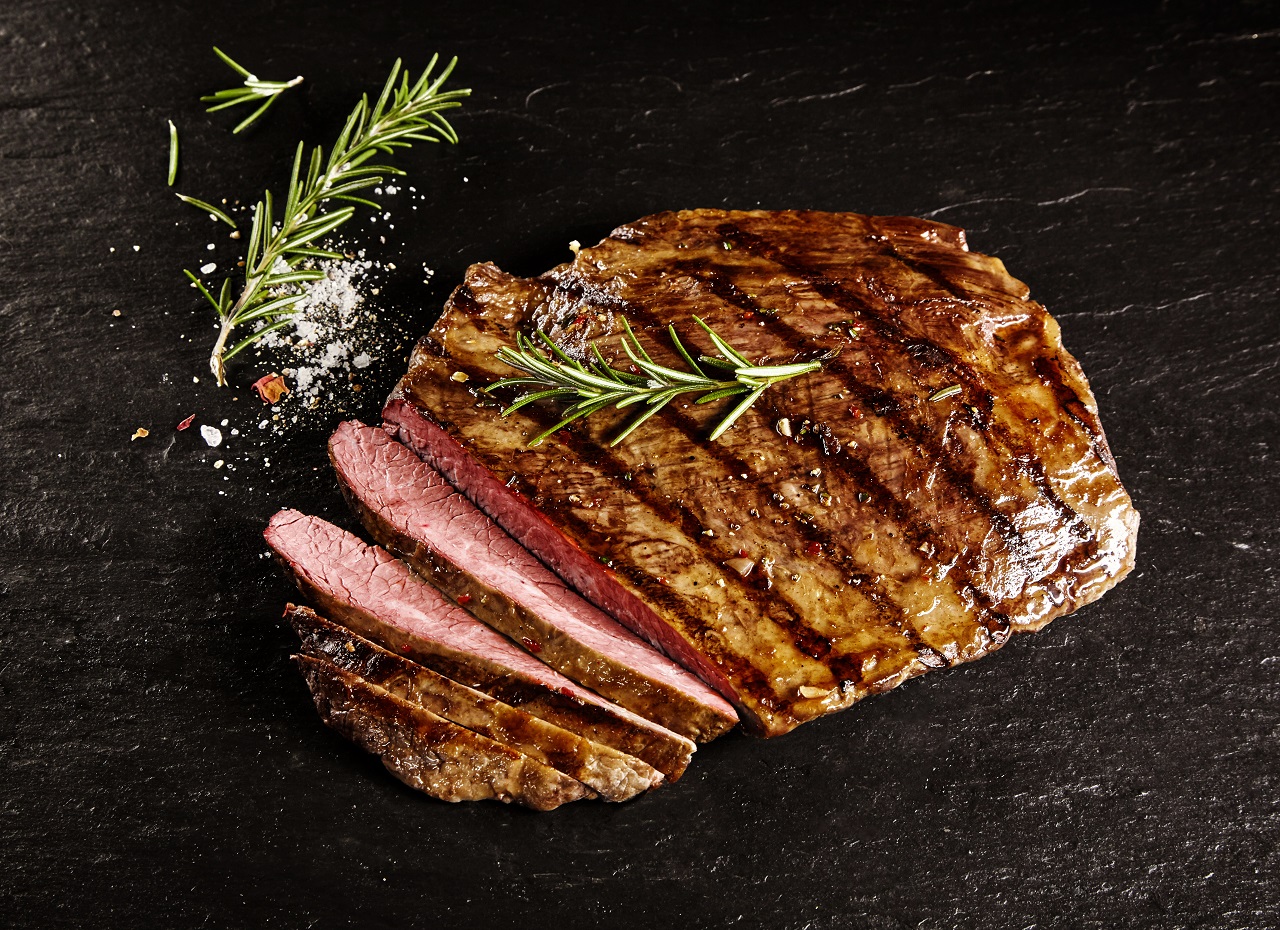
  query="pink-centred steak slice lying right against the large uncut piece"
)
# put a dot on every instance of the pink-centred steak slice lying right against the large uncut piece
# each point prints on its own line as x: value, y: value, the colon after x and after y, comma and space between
x: 415, y: 514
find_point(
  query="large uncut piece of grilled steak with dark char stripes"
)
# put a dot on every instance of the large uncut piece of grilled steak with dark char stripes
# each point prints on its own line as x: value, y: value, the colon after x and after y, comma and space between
x: 943, y: 482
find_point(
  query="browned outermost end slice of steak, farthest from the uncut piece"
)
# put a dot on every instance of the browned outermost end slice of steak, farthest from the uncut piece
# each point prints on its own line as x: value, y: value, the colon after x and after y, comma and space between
x: 427, y: 752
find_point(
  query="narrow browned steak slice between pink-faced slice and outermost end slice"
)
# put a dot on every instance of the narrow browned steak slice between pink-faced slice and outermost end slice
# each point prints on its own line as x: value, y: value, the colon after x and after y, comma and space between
x: 614, y: 775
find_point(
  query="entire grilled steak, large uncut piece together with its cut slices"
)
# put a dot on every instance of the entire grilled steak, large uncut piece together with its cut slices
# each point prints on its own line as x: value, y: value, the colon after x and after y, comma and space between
x: 940, y: 484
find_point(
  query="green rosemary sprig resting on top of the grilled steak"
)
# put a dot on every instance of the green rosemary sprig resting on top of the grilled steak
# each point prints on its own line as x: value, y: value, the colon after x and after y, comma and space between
x: 598, y: 386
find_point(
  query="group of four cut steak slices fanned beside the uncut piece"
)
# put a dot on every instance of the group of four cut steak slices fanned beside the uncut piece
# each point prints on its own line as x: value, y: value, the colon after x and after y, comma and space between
x: 547, y: 702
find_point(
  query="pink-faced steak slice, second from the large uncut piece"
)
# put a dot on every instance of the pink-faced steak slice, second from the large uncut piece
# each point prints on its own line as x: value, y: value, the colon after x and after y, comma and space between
x: 374, y: 594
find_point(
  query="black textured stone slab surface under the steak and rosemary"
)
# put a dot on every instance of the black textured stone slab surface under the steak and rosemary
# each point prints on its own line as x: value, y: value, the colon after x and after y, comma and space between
x: 162, y: 763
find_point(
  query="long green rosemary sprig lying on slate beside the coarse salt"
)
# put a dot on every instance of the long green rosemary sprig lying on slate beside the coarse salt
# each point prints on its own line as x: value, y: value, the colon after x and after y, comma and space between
x: 281, y: 244
